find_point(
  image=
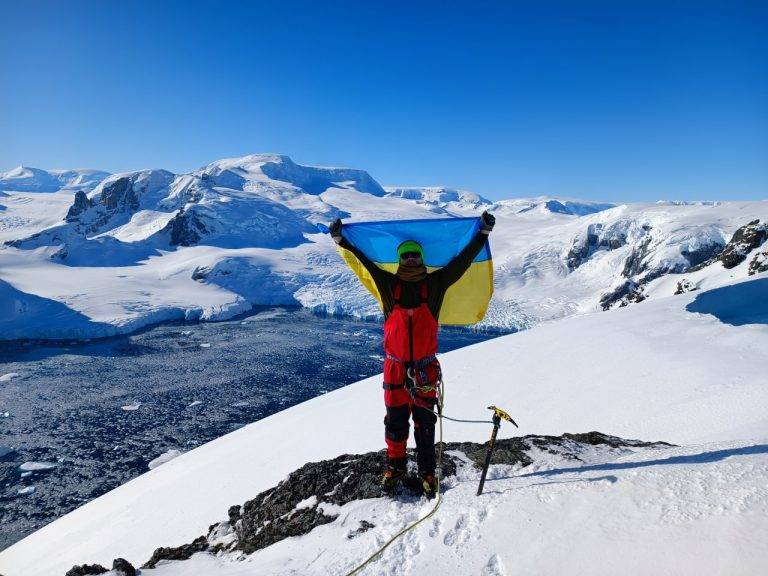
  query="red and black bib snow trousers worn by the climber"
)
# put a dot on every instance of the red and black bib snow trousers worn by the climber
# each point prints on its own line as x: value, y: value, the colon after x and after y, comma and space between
x: 410, y: 346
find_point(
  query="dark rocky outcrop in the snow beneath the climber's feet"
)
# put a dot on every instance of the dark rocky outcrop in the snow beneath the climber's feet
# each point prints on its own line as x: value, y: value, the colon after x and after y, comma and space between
x: 308, y: 497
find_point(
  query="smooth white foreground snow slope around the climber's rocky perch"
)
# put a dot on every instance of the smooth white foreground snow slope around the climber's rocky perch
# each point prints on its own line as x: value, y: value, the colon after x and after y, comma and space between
x: 668, y: 369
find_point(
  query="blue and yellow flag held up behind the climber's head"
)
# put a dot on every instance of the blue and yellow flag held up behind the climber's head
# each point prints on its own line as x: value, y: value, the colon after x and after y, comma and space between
x: 466, y: 301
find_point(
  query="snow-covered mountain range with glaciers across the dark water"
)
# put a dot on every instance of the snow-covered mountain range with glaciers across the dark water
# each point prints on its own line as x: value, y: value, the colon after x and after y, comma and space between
x: 151, y: 245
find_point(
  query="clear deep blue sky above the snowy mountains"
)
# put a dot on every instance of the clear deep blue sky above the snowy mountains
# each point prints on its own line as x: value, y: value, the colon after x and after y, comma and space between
x: 614, y: 100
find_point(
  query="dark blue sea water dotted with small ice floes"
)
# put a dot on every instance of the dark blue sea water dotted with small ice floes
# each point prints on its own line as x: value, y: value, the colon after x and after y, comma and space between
x: 70, y: 404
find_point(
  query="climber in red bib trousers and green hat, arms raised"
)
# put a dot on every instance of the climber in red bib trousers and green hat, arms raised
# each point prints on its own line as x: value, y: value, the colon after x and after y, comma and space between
x: 411, y: 299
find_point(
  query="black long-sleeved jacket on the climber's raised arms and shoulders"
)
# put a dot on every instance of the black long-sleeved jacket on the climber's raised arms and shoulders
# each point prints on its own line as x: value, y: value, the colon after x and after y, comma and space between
x: 438, y: 281
